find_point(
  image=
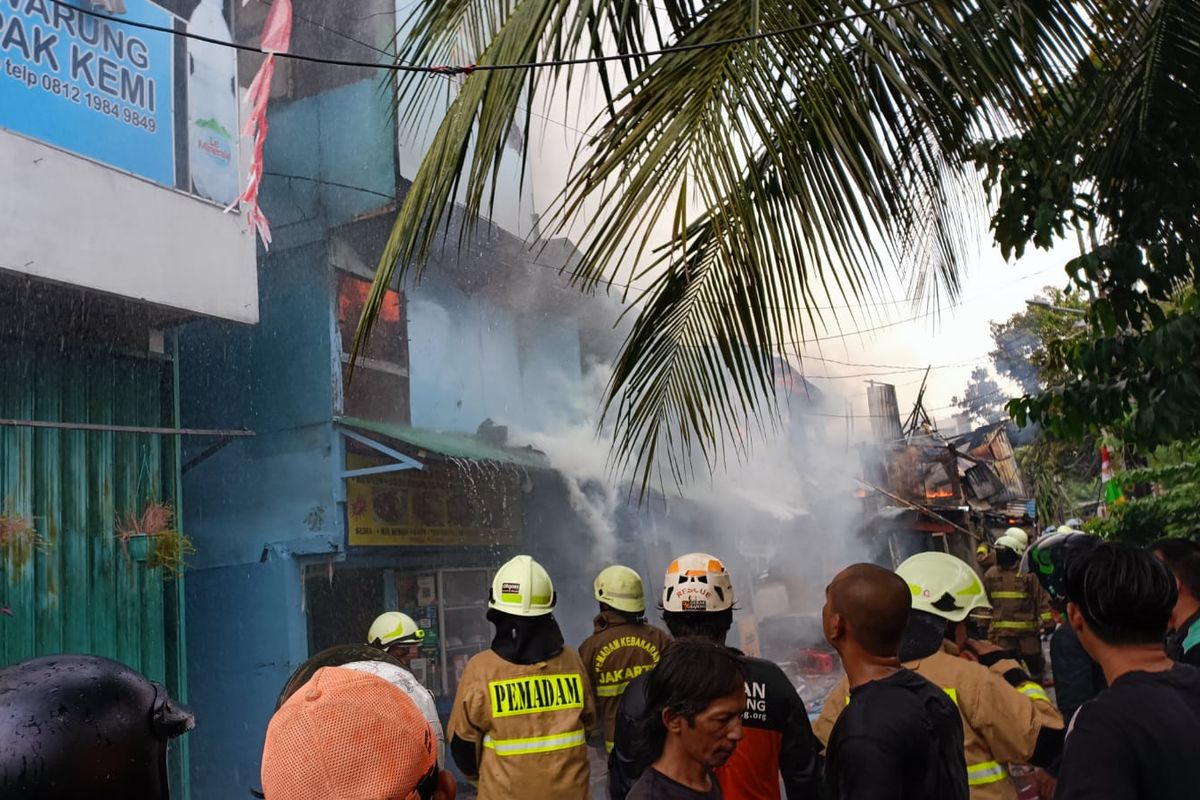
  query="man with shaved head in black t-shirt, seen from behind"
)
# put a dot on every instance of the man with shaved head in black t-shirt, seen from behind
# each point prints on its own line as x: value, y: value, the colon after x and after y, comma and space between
x: 901, y: 737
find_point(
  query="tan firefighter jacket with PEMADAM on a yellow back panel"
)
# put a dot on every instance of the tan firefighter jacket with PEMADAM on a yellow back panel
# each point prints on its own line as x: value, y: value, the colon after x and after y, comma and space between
x: 530, y: 726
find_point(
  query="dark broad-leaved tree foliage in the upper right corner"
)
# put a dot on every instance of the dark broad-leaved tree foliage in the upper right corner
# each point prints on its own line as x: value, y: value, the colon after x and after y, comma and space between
x: 1117, y: 159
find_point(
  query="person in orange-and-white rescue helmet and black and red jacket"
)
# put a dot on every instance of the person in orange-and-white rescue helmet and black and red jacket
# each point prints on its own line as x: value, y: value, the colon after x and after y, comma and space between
x: 778, y: 743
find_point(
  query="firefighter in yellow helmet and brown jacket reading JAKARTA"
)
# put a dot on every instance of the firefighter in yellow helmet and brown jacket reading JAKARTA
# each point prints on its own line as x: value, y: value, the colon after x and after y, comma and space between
x: 623, y: 646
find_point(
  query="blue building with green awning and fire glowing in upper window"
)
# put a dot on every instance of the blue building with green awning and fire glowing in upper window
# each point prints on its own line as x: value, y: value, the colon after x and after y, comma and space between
x: 285, y: 566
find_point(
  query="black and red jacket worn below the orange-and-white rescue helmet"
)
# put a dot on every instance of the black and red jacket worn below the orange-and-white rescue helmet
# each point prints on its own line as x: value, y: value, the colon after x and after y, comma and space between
x: 777, y: 742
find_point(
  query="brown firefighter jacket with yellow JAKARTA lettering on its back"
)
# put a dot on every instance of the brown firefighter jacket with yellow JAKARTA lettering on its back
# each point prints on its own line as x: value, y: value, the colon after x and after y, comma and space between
x: 617, y: 653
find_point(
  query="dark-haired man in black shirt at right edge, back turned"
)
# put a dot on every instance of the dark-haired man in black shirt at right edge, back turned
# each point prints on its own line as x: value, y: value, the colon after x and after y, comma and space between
x: 1141, y: 737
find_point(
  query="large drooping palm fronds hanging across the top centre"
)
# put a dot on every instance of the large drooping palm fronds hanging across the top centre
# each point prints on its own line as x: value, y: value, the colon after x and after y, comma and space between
x: 794, y: 152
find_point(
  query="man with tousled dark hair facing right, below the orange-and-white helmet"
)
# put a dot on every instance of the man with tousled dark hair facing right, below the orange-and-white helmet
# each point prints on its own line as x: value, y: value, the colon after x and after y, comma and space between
x: 695, y: 701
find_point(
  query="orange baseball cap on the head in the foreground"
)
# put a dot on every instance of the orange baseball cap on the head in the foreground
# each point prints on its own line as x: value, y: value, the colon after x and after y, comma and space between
x: 349, y: 736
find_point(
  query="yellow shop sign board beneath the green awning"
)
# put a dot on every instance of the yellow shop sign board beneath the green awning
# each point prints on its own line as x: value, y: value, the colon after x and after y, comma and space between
x: 440, y: 506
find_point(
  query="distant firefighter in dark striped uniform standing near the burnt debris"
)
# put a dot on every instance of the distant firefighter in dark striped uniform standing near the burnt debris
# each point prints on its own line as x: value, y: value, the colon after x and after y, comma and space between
x: 1019, y: 607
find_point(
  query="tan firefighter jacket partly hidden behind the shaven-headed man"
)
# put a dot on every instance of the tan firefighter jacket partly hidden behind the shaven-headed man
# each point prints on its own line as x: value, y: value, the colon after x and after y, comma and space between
x: 1001, y: 723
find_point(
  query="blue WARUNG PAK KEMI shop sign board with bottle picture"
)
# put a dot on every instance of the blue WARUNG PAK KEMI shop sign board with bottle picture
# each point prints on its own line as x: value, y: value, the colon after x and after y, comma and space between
x: 147, y: 103
